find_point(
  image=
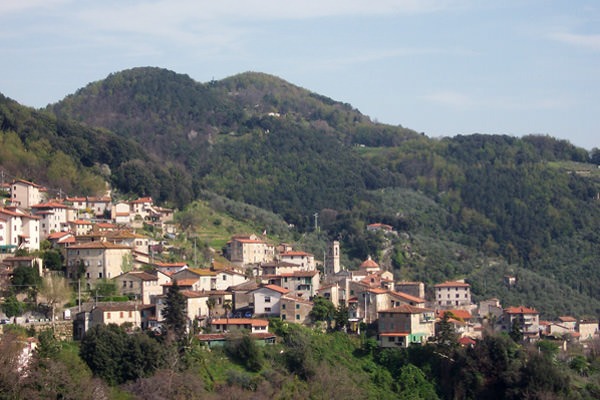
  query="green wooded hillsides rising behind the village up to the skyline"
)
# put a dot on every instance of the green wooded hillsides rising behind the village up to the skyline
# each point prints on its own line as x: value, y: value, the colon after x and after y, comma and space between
x: 471, y: 206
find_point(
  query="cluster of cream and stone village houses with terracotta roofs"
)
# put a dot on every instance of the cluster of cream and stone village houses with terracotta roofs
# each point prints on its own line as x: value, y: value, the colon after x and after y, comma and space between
x: 101, y: 242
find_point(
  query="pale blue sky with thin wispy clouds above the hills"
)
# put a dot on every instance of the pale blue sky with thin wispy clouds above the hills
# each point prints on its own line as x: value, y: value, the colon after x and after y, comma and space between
x: 440, y: 67
